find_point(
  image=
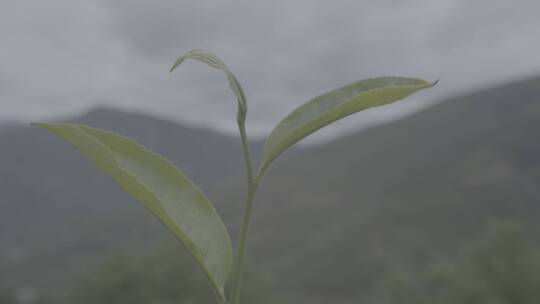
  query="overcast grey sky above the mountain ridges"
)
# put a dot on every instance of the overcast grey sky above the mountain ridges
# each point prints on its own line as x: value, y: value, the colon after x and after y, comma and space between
x: 60, y: 57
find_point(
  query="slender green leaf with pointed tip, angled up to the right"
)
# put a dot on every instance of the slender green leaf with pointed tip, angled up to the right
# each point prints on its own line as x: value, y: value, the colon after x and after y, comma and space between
x: 332, y: 106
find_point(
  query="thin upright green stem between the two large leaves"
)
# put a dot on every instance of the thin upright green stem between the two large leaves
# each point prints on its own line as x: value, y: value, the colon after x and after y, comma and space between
x: 246, y: 216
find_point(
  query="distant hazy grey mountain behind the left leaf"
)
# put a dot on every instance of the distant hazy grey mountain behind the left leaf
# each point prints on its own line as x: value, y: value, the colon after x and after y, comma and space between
x: 57, y: 211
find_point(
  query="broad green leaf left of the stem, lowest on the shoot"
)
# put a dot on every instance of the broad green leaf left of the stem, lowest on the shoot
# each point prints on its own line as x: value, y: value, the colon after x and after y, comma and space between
x: 164, y: 190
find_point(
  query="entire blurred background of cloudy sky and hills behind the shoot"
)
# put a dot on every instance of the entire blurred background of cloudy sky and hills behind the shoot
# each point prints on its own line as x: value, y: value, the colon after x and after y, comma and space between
x: 435, y: 199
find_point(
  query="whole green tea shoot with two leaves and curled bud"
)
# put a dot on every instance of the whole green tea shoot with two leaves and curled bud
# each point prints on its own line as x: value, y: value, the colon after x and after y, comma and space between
x: 181, y: 206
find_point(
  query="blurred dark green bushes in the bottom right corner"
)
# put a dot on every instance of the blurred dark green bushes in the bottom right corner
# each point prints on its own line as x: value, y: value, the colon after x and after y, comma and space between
x: 501, y: 267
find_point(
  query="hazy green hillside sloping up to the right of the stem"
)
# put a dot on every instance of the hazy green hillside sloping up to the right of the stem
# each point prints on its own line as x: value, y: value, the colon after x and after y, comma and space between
x: 396, y: 195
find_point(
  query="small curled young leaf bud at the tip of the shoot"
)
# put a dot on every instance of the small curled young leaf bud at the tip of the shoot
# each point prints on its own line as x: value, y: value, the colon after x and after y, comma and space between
x: 213, y: 61
